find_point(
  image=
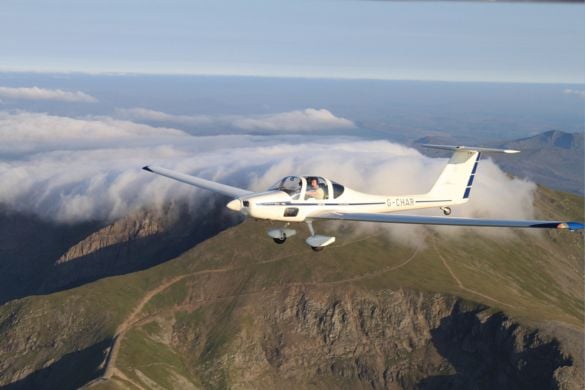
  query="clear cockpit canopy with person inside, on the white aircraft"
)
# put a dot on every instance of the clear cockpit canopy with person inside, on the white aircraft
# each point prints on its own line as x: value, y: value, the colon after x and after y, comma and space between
x: 308, y: 187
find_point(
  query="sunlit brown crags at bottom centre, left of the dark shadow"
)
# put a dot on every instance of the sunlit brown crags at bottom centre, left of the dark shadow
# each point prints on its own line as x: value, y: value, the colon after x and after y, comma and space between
x: 359, y: 333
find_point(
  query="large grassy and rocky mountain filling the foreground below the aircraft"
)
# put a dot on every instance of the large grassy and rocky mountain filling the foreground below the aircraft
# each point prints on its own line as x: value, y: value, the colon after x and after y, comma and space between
x: 466, y: 308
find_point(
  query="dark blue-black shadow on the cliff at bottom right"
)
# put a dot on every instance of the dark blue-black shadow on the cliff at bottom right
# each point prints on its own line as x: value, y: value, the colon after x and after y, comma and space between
x: 494, y: 354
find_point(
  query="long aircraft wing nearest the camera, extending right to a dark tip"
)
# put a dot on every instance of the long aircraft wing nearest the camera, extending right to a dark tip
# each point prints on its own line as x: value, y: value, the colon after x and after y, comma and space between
x: 423, y: 220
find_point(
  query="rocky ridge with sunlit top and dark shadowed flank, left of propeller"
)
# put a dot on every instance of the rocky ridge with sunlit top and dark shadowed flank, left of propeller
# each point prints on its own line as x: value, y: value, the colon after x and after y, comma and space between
x: 135, y: 242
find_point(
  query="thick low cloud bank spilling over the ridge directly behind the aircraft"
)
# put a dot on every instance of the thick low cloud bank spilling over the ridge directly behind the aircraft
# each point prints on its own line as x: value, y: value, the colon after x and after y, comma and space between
x: 92, y: 168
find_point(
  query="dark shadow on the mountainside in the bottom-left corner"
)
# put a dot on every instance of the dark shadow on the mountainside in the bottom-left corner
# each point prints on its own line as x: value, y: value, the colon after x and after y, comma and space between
x: 72, y: 371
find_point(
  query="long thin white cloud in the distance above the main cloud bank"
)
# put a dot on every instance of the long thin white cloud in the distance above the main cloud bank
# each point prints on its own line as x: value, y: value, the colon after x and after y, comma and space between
x: 309, y: 119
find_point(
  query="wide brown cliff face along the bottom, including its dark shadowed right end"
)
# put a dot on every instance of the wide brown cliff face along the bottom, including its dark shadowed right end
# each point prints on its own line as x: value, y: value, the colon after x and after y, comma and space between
x: 388, y: 339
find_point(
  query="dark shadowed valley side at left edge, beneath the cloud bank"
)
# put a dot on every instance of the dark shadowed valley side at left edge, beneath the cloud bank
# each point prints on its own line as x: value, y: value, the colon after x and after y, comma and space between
x: 30, y: 260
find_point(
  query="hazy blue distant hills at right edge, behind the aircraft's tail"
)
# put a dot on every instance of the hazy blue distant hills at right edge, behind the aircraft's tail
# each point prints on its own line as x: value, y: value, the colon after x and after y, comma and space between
x: 554, y: 159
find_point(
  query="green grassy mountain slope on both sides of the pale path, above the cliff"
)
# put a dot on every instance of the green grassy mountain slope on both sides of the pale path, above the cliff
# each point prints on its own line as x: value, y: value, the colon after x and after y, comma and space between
x: 532, y: 277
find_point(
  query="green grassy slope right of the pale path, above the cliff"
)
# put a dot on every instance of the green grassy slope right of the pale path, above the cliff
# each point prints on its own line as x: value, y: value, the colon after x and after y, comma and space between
x: 523, y: 276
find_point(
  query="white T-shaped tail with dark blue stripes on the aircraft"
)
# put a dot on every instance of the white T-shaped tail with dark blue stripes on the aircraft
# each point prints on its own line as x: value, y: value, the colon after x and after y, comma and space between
x: 454, y: 184
